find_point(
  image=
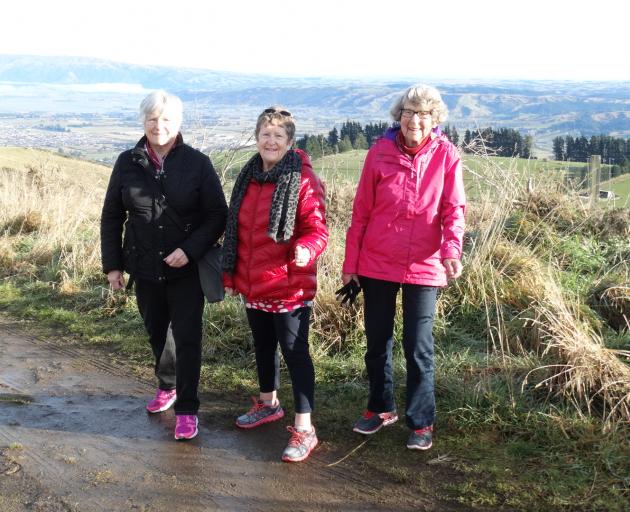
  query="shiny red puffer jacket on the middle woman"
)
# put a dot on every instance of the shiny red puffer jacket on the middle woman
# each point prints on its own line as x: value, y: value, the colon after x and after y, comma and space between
x: 267, y: 269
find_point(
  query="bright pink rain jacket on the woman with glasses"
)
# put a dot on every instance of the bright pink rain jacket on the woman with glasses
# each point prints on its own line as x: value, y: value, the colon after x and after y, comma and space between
x: 408, y: 214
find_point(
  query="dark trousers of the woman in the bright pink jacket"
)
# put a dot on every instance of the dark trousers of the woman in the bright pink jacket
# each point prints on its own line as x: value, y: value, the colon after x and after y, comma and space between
x: 417, y: 339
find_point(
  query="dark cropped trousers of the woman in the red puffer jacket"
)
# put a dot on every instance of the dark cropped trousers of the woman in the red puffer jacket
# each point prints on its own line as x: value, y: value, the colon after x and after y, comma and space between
x: 291, y: 331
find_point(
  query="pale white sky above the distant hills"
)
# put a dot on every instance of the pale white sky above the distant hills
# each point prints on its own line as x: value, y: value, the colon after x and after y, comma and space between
x: 532, y: 39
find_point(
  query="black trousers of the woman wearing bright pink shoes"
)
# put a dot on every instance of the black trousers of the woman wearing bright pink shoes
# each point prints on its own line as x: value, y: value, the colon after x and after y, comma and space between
x: 178, y: 303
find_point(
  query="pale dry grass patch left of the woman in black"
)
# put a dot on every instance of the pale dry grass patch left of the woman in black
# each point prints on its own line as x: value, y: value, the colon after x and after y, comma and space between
x: 50, y: 221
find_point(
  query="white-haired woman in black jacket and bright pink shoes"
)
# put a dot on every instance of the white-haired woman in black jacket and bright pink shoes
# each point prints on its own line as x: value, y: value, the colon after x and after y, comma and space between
x: 164, y: 208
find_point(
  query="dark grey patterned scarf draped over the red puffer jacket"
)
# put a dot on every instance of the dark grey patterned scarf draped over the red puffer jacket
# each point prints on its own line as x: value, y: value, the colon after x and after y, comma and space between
x: 286, y: 174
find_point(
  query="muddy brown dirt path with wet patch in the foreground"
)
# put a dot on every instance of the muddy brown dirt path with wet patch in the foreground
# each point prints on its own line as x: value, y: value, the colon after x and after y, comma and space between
x: 74, y: 436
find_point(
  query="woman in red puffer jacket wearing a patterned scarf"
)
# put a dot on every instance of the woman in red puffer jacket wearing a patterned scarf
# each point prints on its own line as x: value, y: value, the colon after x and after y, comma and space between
x: 276, y: 230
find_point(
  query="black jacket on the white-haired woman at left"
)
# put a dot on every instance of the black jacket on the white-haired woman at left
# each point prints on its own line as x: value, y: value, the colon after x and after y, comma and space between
x: 136, y: 233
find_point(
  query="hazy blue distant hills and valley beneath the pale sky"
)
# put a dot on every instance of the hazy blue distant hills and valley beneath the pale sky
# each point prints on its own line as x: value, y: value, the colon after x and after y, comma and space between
x: 543, y: 109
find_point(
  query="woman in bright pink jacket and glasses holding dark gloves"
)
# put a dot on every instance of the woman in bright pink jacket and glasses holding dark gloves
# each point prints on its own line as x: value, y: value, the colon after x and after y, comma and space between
x: 406, y: 232
